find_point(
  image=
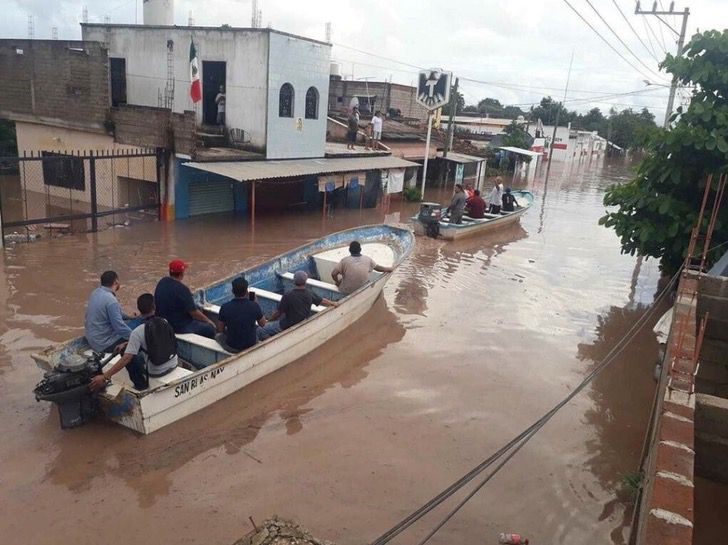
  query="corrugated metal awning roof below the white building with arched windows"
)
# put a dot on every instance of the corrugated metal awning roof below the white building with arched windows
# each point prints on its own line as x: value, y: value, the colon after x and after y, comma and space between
x: 244, y: 171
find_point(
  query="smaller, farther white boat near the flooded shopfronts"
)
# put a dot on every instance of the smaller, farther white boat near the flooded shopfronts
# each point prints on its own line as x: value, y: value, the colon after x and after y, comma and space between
x: 471, y: 226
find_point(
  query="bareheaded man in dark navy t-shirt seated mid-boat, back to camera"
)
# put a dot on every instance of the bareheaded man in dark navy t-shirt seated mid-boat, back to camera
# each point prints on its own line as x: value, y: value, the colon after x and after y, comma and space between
x: 238, y: 318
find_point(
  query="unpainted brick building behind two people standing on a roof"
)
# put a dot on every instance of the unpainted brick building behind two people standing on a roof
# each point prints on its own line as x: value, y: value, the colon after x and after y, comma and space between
x: 374, y: 95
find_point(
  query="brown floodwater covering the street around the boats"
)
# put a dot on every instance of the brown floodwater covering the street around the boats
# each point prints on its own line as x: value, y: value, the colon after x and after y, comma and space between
x: 471, y: 342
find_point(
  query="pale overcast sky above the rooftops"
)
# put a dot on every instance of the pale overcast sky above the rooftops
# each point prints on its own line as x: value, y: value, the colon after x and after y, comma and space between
x: 516, y: 50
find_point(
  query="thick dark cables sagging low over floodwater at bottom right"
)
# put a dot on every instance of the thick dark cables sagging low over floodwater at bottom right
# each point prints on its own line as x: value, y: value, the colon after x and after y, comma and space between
x: 524, y: 436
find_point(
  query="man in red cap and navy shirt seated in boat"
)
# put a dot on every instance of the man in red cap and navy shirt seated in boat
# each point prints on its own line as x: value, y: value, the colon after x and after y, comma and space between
x: 175, y: 304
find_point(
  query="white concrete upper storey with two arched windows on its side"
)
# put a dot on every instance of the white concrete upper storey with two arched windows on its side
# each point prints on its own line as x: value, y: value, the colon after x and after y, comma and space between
x: 276, y: 84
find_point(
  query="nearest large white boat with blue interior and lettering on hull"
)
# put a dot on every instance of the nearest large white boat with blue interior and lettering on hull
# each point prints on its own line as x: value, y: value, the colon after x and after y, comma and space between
x: 207, y: 372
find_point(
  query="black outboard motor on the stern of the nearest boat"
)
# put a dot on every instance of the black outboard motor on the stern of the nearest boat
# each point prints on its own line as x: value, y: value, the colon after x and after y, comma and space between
x: 67, y: 386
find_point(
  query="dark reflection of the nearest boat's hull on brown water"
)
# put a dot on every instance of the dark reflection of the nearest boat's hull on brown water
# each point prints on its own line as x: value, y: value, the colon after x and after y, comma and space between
x: 146, y: 463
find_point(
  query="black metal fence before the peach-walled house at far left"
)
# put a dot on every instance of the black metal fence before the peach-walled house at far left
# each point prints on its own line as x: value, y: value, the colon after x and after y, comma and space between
x: 78, y: 191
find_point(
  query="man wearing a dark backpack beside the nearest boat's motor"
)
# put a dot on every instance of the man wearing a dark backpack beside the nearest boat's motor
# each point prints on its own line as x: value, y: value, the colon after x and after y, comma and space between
x: 153, y: 342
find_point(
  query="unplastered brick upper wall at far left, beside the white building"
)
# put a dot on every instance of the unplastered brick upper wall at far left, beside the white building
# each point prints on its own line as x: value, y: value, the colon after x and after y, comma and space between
x: 55, y: 81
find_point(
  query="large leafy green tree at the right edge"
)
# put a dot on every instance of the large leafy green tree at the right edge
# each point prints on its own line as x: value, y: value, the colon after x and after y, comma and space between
x: 655, y: 212
